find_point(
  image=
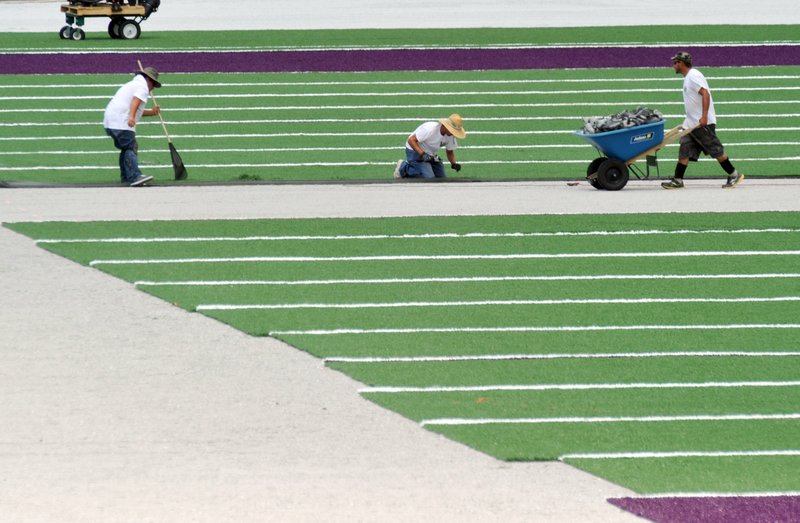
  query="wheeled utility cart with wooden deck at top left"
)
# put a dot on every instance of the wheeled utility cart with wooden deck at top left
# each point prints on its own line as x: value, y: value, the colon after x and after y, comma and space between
x: 126, y: 17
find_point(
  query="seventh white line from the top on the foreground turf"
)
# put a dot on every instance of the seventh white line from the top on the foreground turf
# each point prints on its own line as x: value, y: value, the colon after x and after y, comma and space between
x: 579, y: 386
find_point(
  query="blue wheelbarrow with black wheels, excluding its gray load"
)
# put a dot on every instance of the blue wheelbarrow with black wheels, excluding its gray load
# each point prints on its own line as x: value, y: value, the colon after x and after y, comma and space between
x: 622, y: 148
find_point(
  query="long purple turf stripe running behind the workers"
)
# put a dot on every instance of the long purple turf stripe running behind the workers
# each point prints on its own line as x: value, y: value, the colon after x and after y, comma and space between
x: 396, y: 59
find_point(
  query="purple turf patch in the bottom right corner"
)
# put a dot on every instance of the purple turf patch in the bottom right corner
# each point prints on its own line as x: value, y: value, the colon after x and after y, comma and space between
x: 767, y: 509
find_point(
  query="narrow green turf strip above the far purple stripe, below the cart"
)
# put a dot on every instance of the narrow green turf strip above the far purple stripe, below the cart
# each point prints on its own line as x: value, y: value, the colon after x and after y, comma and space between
x: 97, y: 38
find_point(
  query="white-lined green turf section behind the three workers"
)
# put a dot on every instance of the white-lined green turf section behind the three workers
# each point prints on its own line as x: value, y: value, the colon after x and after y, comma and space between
x: 258, y: 136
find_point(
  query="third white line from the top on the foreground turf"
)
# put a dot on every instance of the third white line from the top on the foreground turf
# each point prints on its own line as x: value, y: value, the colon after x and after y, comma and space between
x: 212, y: 283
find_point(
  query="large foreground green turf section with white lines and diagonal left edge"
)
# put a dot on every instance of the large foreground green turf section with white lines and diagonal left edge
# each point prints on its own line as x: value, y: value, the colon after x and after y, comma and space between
x: 658, y: 360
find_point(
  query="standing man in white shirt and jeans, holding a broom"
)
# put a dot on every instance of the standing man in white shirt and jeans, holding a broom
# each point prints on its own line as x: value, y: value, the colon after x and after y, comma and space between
x: 122, y: 113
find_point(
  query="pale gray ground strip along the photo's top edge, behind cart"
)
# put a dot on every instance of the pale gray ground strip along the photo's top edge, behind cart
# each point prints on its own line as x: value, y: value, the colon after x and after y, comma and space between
x: 44, y: 15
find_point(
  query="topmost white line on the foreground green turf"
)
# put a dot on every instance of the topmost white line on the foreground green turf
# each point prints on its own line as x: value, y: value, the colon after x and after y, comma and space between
x: 468, y: 235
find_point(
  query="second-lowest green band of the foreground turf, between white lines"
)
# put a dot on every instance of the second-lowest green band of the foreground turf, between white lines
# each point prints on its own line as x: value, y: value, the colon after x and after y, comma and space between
x: 548, y: 441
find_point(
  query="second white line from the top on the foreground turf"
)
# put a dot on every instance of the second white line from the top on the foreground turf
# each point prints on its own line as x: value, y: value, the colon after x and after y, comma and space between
x: 413, y: 257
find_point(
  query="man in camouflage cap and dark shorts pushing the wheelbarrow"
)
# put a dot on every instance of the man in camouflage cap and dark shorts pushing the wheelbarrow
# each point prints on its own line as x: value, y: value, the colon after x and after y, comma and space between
x: 701, y: 117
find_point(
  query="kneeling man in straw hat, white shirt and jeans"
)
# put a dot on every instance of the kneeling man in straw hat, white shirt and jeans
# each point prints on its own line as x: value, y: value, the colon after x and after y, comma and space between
x: 422, y: 160
